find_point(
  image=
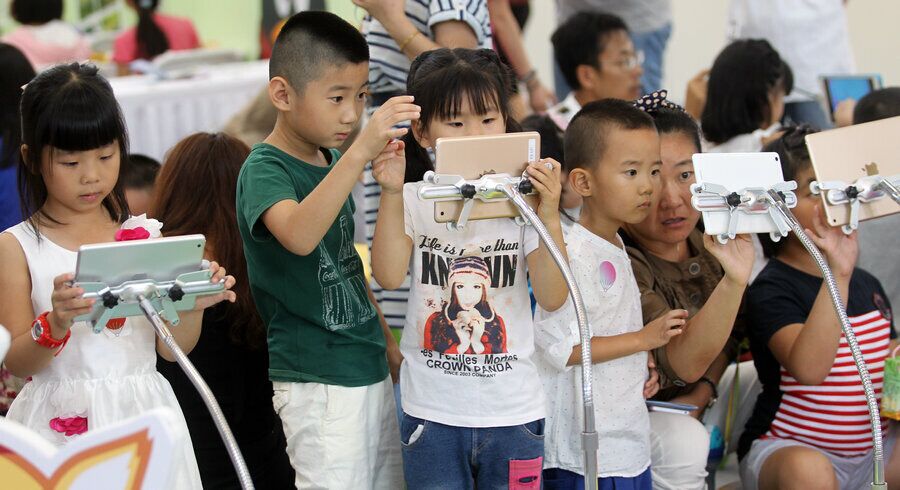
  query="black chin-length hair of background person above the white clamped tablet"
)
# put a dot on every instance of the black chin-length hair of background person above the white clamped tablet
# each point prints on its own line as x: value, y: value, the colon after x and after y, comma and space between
x: 740, y: 81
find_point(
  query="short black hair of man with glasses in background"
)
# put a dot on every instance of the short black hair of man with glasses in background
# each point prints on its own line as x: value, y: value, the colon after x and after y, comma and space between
x: 580, y: 41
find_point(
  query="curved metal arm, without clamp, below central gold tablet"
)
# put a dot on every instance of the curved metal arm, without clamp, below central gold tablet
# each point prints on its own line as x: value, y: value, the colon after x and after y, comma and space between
x: 589, y: 435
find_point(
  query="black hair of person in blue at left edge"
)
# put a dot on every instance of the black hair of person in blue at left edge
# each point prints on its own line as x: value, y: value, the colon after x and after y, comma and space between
x: 16, y: 72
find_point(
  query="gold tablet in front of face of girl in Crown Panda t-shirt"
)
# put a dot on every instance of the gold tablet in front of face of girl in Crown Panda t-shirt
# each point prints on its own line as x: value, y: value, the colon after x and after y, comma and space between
x: 475, y: 156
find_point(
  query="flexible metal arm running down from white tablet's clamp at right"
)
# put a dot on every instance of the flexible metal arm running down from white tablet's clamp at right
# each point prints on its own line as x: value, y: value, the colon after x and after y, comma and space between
x: 878, y: 482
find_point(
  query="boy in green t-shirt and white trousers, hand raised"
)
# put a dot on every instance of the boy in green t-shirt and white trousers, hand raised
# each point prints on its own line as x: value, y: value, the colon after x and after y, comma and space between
x: 327, y: 341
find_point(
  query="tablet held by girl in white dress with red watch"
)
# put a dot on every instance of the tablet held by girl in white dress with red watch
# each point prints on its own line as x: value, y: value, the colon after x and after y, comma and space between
x: 110, y: 264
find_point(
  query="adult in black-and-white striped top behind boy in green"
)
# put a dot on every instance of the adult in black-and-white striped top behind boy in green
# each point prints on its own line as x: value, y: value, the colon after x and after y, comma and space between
x: 397, y: 31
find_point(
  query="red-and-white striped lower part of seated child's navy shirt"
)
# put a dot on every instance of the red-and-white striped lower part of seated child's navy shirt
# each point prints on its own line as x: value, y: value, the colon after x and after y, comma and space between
x: 833, y: 416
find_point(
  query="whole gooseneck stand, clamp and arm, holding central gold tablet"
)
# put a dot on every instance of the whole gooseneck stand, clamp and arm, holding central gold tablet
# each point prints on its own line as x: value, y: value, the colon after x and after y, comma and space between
x: 499, y: 187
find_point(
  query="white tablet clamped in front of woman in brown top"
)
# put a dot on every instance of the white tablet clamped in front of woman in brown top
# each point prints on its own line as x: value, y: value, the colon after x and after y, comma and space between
x: 736, y: 171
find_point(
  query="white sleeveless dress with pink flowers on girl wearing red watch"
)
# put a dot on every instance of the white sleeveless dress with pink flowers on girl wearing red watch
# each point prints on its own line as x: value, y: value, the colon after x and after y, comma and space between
x: 104, y: 378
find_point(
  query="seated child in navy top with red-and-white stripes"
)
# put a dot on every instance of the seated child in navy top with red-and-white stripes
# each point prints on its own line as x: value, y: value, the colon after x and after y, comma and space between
x: 810, y: 426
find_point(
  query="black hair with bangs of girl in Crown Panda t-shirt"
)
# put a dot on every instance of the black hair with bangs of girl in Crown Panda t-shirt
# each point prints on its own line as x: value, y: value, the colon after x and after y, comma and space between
x: 440, y: 80
